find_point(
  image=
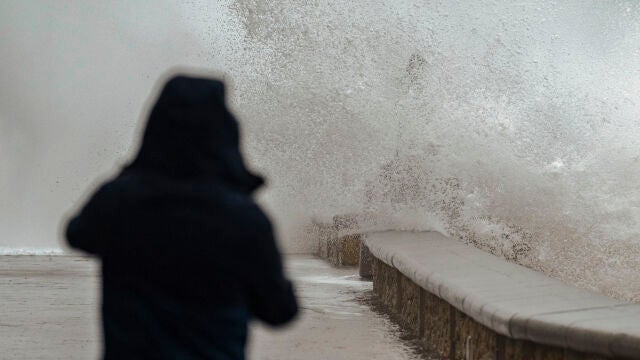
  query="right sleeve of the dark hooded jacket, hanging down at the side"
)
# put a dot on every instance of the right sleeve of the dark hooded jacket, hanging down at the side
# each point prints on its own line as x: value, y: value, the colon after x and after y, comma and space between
x: 271, y: 296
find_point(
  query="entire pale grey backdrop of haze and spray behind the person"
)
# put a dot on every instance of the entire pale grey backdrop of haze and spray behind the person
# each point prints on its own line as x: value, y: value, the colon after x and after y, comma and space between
x: 513, y: 127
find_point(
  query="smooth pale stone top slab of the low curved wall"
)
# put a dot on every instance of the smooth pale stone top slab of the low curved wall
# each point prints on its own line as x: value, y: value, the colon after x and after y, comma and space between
x: 510, y: 299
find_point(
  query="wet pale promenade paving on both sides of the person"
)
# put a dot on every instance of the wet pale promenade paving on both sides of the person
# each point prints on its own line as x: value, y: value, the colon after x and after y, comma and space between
x: 48, y: 310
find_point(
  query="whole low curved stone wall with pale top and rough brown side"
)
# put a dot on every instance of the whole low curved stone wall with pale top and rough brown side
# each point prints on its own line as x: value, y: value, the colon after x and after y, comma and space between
x: 468, y: 304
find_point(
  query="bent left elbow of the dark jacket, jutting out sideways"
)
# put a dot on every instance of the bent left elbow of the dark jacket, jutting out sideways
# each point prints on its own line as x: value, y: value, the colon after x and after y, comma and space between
x: 84, y: 230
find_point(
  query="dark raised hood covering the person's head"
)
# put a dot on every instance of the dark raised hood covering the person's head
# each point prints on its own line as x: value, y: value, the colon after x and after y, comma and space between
x: 191, y: 134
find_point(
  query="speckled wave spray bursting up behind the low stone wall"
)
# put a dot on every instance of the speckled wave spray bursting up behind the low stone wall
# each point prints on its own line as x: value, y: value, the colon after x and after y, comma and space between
x: 514, y: 124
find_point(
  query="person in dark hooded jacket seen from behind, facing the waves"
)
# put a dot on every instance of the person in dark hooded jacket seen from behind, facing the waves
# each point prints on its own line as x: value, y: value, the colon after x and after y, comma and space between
x: 188, y: 258
